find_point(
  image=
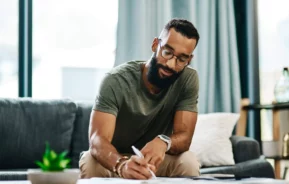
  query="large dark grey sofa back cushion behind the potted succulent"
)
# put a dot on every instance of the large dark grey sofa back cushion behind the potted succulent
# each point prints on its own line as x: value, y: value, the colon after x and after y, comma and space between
x: 26, y: 124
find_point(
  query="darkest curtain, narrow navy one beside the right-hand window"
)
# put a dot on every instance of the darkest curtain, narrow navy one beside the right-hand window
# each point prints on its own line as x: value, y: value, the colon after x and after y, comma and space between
x: 247, y: 37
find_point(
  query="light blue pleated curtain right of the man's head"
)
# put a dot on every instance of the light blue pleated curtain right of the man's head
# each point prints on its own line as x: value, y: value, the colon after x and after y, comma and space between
x: 216, y: 56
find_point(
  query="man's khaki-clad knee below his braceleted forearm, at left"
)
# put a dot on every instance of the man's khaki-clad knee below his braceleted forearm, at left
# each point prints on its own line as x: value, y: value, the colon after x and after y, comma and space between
x: 89, y: 167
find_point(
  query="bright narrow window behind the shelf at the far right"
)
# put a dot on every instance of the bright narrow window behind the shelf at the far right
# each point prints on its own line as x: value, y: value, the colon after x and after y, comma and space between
x: 273, y: 52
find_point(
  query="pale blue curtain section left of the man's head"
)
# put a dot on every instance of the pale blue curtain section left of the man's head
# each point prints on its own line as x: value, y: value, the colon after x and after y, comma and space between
x: 139, y: 21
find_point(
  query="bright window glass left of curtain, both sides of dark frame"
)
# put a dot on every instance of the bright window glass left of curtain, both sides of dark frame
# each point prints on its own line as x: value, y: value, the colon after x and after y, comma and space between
x: 69, y: 41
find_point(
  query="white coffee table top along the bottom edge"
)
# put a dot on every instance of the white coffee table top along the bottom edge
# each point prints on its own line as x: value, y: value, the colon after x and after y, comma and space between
x: 165, y: 180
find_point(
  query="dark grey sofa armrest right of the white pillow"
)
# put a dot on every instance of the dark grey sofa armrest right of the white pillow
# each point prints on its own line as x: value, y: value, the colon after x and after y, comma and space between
x: 244, y: 148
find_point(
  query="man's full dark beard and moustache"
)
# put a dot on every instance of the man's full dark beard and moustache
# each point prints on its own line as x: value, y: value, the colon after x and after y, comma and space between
x: 154, y: 77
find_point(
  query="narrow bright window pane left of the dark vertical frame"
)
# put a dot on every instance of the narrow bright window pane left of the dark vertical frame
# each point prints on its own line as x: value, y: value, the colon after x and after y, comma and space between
x: 9, y: 48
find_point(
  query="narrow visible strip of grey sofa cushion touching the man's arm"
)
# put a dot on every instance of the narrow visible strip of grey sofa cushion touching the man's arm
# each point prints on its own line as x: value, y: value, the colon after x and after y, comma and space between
x: 80, y: 132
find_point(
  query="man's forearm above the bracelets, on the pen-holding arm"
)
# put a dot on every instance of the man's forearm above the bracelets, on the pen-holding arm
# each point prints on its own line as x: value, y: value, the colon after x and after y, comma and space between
x: 104, y: 152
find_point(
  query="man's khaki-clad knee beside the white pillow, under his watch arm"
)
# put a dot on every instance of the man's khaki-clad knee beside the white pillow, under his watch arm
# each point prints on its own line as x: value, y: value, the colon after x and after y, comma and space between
x: 187, y: 164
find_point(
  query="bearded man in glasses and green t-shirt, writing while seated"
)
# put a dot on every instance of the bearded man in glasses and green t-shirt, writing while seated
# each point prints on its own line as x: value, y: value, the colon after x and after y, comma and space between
x: 150, y: 105
